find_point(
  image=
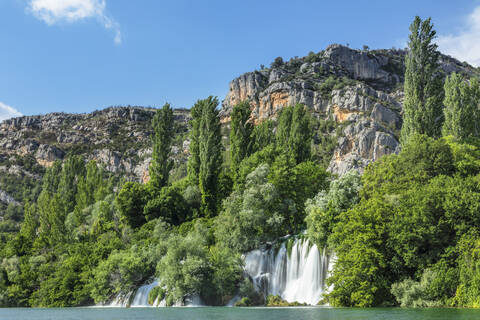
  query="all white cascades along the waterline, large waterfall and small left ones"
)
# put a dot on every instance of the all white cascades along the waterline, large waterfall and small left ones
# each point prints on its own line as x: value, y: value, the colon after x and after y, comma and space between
x: 298, y: 275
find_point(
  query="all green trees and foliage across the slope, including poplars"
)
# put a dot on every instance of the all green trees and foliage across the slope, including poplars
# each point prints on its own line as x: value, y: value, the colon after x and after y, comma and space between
x: 406, y: 233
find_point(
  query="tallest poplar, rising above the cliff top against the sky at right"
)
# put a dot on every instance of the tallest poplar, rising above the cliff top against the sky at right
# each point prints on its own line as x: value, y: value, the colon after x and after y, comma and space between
x: 423, y: 83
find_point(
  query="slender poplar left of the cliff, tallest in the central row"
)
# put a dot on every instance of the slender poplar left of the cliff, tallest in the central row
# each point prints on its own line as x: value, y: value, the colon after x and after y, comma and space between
x: 210, y: 154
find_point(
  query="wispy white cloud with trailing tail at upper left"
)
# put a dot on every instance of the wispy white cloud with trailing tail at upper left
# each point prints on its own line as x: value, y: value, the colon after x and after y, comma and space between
x: 58, y: 11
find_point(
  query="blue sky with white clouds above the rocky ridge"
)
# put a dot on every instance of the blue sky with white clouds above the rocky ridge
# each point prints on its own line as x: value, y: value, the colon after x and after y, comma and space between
x: 82, y: 55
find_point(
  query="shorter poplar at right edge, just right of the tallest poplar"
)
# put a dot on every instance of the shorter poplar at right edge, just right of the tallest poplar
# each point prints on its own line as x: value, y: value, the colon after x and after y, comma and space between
x: 462, y: 114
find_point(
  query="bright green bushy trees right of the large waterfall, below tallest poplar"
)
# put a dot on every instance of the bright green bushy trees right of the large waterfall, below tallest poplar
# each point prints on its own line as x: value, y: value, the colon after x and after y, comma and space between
x: 406, y: 237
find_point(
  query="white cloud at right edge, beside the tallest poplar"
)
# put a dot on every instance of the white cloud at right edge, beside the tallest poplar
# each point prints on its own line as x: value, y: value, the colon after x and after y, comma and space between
x: 465, y: 45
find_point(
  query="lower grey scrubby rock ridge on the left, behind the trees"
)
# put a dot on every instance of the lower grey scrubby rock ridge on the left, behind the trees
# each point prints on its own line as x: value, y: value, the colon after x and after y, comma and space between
x: 118, y: 138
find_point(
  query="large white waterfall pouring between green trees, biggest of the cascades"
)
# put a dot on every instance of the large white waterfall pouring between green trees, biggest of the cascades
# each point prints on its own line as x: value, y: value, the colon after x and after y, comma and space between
x: 298, y: 276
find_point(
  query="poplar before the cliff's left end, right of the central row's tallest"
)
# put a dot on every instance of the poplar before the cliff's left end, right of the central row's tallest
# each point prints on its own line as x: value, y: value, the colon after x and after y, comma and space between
x: 241, y: 140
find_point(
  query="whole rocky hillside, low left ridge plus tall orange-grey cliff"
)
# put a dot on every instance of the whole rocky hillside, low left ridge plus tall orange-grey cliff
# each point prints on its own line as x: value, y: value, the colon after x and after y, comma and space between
x: 356, y: 97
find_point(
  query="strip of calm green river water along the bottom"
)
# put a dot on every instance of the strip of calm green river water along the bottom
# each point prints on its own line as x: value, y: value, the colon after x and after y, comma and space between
x: 211, y: 313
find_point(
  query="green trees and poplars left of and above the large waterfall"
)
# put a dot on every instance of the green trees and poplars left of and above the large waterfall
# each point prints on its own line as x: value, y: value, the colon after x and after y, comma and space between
x: 89, y: 239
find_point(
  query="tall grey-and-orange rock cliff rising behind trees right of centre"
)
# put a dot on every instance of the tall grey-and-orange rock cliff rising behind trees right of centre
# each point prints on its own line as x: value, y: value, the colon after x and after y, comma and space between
x: 360, y: 90
